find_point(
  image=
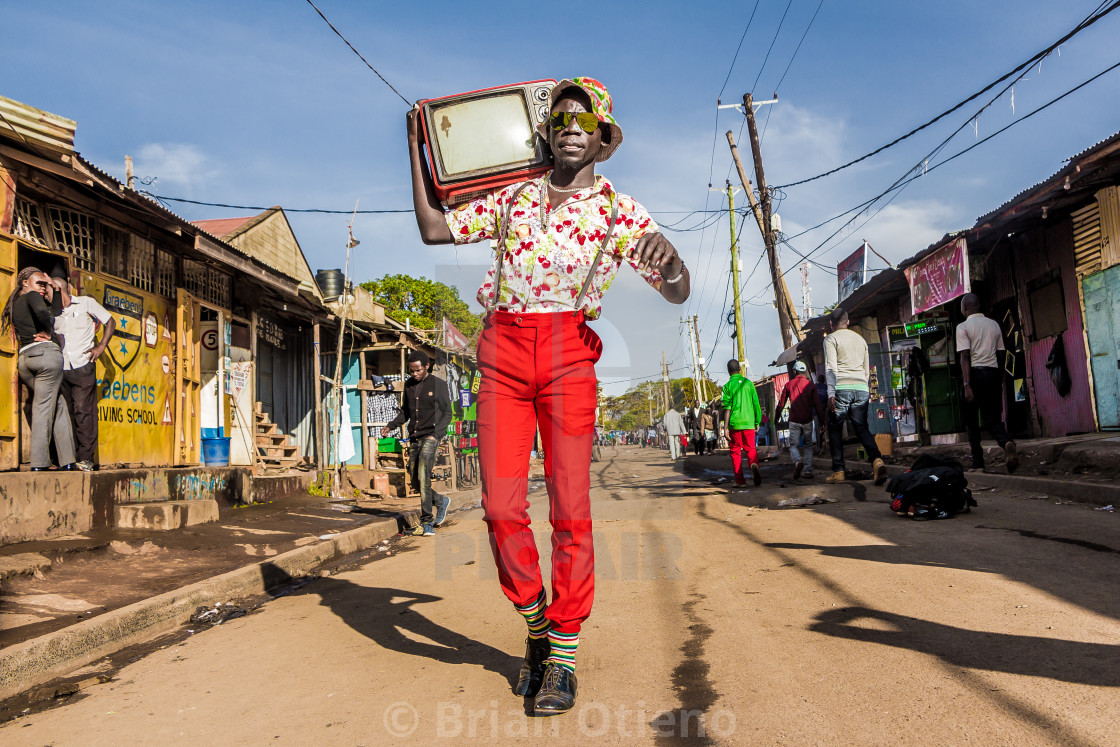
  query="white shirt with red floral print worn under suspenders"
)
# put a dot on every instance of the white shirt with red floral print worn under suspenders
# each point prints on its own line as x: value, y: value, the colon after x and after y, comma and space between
x: 549, y: 251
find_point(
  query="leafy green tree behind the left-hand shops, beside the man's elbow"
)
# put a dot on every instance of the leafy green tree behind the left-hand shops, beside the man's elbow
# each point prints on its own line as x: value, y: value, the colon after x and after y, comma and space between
x: 425, y: 303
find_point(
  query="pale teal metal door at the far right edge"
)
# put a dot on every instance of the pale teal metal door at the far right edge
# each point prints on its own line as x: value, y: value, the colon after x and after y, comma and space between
x: 1103, y: 324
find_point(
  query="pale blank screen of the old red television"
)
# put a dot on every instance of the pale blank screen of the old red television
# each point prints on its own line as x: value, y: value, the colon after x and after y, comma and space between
x: 481, y: 135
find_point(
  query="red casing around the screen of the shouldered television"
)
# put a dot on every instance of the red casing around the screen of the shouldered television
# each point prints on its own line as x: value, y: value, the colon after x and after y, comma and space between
x: 464, y: 189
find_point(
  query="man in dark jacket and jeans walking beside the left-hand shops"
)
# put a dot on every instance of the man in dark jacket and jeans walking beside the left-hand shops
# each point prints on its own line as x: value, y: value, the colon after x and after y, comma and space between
x: 428, y: 412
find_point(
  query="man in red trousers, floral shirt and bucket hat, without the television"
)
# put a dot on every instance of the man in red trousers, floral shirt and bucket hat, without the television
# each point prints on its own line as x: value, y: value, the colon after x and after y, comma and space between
x: 538, y: 356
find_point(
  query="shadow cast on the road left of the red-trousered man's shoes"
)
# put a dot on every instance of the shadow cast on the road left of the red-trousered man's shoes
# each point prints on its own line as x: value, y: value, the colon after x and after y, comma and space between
x: 385, y: 615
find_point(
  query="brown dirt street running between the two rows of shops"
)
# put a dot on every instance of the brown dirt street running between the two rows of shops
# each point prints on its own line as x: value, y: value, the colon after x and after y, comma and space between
x: 718, y: 620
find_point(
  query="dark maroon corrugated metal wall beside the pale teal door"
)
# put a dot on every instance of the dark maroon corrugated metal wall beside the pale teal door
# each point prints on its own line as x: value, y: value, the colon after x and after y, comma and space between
x: 1037, y: 255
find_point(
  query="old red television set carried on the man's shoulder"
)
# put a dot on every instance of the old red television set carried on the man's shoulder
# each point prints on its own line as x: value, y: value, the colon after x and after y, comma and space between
x: 486, y: 139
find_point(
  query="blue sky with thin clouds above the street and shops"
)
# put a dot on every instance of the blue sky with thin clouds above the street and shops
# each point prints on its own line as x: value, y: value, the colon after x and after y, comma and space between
x: 260, y: 104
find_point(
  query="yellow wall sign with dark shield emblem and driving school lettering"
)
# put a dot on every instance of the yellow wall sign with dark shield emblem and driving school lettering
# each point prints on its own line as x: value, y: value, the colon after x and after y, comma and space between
x: 136, y: 379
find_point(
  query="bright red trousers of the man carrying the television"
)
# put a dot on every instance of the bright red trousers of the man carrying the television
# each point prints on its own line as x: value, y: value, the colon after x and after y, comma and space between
x: 539, y: 370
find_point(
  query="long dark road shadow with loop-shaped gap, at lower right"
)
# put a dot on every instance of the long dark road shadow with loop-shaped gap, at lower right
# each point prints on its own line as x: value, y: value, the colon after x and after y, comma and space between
x: 1068, y: 661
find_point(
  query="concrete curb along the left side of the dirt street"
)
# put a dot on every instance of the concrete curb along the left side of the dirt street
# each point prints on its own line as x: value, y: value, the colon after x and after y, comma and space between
x: 53, y: 656
